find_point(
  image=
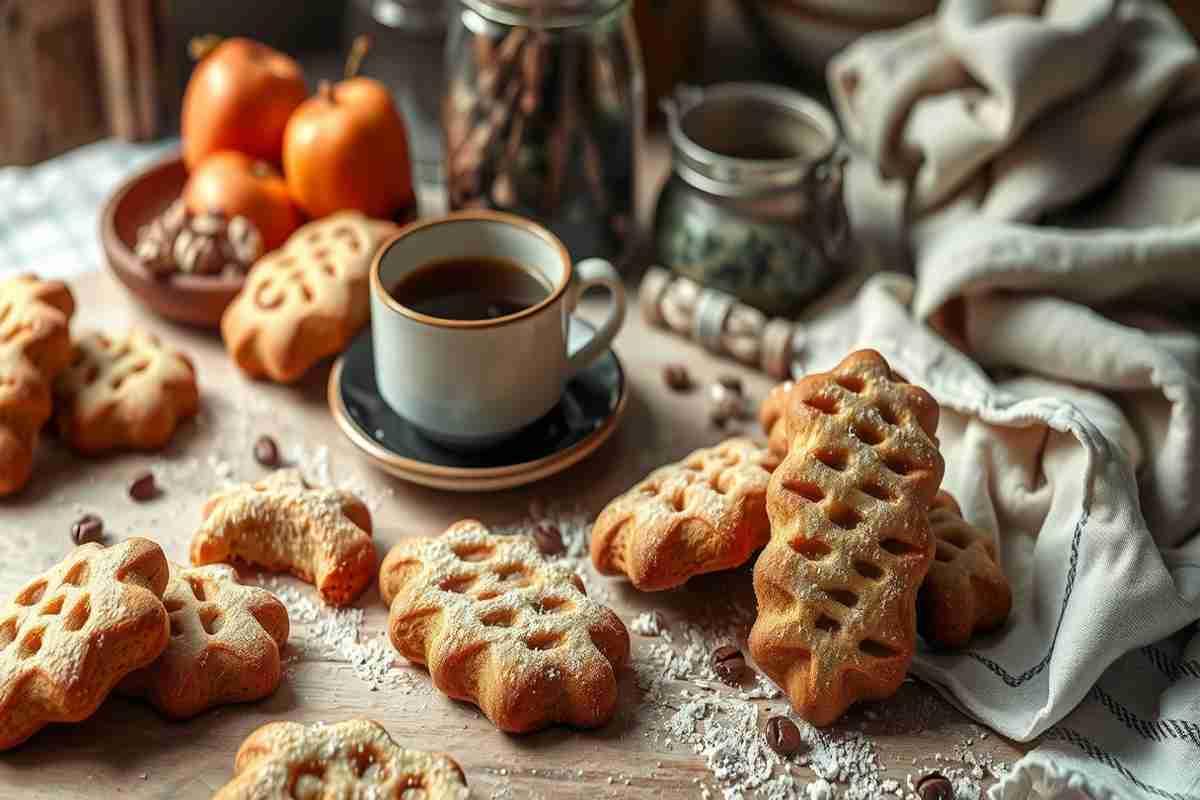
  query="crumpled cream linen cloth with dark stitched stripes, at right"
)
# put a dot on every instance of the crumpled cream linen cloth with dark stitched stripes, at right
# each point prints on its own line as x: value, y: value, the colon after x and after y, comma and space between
x: 1036, y: 167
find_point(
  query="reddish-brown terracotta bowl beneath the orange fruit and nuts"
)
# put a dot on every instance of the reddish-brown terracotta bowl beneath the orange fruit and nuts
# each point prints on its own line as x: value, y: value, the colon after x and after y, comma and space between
x: 190, y: 299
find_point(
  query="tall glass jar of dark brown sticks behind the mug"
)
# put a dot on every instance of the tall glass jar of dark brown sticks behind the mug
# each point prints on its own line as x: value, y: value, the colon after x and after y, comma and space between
x: 543, y: 117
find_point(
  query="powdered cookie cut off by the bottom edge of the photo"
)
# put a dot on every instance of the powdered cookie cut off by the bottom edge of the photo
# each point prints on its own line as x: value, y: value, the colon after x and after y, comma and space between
x: 349, y: 761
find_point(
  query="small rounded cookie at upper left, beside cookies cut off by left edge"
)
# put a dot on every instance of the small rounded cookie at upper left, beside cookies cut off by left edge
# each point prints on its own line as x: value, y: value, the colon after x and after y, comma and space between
x: 124, y: 394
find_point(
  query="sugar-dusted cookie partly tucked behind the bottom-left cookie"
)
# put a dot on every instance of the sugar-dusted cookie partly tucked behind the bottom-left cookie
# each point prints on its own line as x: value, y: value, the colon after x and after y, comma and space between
x: 225, y: 645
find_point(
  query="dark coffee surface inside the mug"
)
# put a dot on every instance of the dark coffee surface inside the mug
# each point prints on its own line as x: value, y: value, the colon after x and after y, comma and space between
x: 470, y: 288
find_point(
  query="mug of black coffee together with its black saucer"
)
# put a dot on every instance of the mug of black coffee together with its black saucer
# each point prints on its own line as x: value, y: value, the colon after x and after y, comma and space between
x: 476, y: 375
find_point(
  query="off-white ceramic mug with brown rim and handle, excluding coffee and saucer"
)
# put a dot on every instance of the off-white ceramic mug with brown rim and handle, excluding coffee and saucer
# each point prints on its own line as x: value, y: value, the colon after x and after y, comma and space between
x: 470, y: 384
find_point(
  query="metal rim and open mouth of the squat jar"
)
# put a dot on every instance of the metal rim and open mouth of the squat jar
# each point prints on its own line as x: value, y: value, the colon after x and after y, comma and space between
x: 737, y: 140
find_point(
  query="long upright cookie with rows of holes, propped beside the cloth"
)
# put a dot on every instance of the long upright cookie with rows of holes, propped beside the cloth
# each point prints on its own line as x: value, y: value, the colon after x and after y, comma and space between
x: 850, y: 545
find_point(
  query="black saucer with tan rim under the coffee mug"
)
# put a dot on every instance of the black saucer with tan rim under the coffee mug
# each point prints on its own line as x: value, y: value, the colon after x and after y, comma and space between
x: 591, y: 410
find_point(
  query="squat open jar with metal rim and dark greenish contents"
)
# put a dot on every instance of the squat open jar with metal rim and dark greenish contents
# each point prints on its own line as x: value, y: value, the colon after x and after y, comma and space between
x: 754, y: 206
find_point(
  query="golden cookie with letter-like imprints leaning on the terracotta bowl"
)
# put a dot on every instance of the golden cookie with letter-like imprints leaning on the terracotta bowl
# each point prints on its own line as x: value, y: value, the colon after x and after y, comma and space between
x: 304, y: 302
